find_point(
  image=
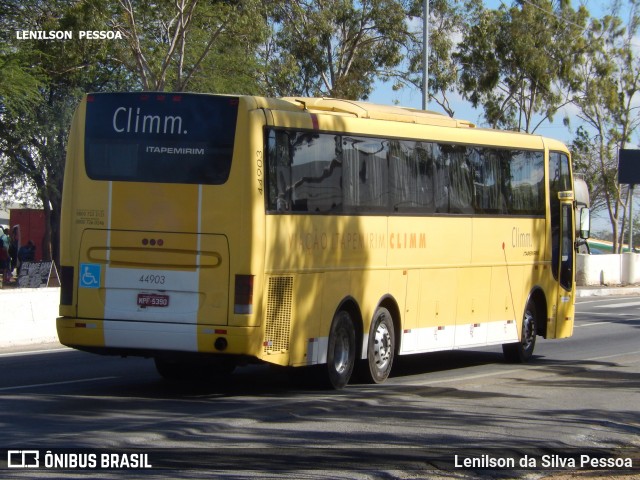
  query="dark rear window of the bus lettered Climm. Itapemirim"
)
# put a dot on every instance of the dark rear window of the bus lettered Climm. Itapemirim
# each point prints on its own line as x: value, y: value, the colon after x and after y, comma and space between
x: 157, y: 137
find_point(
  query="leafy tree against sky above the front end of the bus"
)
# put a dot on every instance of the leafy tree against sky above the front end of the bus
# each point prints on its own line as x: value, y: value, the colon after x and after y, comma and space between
x: 513, y: 60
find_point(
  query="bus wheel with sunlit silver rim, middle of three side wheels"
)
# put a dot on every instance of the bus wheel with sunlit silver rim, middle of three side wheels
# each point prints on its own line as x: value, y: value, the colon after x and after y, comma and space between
x: 380, y: 349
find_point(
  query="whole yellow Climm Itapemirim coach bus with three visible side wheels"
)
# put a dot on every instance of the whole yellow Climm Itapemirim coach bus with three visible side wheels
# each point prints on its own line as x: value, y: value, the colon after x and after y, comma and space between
x: 208, y: 231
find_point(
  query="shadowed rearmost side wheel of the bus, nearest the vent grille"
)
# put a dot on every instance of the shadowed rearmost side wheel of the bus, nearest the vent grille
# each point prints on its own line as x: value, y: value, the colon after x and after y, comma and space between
x: 341, y: 352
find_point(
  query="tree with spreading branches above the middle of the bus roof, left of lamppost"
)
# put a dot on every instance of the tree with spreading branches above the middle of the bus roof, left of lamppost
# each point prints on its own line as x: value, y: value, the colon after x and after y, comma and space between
x: 335, y: 47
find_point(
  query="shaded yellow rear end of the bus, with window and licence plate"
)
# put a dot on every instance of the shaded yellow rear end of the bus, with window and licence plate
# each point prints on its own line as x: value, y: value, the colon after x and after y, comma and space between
x: 149, y: 218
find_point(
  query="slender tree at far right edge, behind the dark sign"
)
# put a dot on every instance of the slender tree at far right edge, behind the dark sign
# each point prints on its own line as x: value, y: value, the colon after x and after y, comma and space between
x: 606, y: 88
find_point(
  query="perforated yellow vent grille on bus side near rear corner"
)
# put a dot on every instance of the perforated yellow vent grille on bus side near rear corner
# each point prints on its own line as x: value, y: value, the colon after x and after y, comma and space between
x: 278, y: 325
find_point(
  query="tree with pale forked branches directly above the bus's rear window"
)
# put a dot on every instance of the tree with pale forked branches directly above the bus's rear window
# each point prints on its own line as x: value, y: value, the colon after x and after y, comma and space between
x: 186, y: 44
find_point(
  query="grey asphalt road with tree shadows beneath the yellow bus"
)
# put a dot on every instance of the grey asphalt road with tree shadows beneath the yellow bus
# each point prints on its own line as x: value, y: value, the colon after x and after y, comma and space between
x: 578, y: 396
